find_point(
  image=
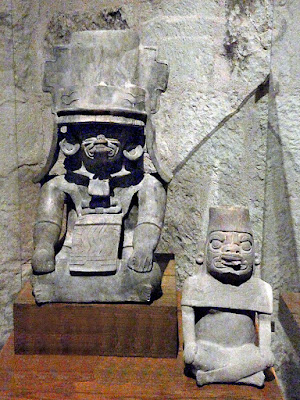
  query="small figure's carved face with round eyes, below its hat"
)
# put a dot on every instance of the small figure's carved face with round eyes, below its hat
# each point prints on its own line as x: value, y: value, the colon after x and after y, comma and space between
x: 230, y: 256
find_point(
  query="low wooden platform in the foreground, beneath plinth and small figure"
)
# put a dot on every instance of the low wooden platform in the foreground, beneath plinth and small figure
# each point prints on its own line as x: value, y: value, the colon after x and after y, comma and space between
x: 61, y: 377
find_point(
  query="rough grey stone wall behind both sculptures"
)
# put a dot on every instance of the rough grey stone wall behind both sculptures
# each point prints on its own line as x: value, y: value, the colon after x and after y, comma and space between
x: 211, y: 127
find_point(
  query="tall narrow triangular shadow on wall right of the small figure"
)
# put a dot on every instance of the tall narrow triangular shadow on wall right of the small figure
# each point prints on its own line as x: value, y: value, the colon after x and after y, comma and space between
x: 279, y: 256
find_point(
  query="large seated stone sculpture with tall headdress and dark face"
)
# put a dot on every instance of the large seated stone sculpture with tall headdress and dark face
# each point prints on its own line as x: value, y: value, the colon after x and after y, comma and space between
x: 104, y: 87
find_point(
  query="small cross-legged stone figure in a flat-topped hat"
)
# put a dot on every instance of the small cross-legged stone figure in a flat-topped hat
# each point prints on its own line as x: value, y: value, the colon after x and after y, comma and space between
x: 226, y: 310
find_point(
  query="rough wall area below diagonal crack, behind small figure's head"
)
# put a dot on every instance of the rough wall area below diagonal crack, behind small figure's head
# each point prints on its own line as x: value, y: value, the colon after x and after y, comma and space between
x: 228, y: 168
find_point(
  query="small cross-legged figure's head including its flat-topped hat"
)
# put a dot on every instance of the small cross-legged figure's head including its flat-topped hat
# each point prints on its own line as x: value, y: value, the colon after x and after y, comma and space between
x: 230, y: 253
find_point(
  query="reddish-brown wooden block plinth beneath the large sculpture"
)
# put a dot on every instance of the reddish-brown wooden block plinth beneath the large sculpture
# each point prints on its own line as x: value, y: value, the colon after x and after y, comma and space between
x: 99, y: 329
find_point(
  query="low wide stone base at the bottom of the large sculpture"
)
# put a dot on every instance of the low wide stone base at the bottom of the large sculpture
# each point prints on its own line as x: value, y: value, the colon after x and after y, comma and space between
x: 123, y: 285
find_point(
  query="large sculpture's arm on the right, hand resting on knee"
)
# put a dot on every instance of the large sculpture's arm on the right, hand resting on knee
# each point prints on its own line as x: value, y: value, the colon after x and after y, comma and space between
x: 152, y: 203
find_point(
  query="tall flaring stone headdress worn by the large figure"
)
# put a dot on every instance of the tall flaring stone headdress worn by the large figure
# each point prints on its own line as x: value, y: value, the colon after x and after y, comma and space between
x: 106, y: 76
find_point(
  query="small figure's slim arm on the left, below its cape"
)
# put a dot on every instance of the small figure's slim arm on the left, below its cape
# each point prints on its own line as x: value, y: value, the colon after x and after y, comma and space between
x: 189, y: 335
